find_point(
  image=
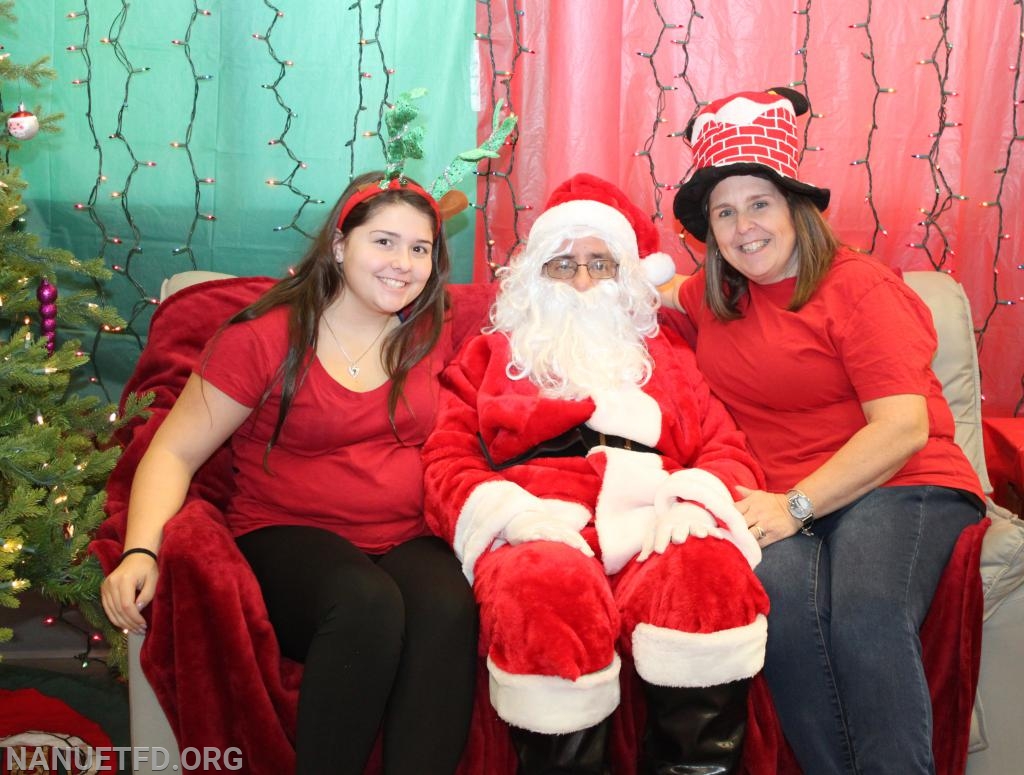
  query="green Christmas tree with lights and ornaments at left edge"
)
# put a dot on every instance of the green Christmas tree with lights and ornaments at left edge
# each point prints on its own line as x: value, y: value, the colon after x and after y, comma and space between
x: 56, y: 451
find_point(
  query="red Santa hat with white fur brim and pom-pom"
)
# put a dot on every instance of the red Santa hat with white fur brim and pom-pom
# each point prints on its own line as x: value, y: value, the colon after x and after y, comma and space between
x: 588, y: 205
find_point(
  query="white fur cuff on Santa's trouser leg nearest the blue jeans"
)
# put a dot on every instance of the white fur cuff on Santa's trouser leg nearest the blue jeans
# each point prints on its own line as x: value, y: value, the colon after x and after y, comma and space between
x: 671, y: 658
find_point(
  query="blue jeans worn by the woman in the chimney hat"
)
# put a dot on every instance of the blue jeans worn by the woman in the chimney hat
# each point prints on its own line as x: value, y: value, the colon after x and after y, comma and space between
x: 844, y: 658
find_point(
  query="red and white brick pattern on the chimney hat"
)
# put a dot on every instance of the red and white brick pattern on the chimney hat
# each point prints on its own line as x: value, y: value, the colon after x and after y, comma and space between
x: 771, y: 140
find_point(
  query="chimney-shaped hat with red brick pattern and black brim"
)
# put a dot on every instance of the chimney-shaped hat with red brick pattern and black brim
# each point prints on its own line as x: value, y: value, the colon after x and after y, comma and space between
x: 747, y: 134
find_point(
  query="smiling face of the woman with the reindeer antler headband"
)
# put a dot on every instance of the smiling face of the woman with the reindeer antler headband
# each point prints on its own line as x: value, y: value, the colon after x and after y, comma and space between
x: 387, y: 261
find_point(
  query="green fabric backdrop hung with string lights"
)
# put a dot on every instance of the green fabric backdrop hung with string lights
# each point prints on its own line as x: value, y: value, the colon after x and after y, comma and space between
x: 426, y: 45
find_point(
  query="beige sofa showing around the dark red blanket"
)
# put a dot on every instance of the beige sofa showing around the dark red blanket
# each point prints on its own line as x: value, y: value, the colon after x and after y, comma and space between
x: 997, y: 735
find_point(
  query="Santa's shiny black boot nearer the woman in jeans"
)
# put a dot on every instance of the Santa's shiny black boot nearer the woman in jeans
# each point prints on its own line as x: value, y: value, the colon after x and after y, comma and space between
x: 694, y: 731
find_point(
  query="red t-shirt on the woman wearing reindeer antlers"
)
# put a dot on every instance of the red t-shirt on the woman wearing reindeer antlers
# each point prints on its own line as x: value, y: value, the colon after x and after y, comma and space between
x: 337, y: 463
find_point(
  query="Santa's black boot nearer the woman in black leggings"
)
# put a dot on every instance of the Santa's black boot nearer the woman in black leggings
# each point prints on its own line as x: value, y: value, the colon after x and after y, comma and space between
x: 580, y: 753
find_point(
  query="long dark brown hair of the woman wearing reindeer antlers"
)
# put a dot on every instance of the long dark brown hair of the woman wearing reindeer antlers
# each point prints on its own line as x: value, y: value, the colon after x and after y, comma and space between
x: 318, y: 280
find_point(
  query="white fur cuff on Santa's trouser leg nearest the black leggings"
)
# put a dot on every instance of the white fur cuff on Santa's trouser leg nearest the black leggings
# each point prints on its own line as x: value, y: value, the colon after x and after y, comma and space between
x: 554, y: 706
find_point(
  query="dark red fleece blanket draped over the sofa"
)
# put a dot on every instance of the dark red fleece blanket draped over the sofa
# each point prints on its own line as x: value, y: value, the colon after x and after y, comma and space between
x: 211, y: 656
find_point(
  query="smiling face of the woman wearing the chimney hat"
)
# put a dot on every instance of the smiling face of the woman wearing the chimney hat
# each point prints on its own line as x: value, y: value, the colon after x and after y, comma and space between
x: 752, y: 224
